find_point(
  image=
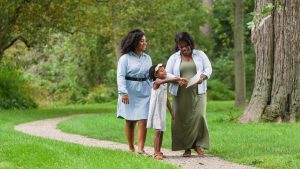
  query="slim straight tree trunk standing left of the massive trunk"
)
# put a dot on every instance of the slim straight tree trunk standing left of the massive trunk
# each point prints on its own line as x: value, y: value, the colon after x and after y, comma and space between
x: 239, y: 60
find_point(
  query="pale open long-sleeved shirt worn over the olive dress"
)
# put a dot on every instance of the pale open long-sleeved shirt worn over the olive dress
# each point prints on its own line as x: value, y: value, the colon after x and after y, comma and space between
x: 203, y: 66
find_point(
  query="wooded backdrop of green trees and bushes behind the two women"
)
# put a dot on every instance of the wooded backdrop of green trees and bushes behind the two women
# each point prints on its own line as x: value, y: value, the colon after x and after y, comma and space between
x: 66, y: 51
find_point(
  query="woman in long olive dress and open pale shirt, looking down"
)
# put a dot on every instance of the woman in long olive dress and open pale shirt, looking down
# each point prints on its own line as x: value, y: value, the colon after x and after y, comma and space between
x: 189, y: 130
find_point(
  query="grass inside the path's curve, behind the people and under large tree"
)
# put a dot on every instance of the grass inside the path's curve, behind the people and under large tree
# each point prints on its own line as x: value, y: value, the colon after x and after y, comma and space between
x: 265, y: 145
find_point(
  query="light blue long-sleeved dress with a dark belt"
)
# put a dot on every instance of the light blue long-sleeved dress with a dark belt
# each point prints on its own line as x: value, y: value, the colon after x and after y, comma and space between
x: 138, y: 91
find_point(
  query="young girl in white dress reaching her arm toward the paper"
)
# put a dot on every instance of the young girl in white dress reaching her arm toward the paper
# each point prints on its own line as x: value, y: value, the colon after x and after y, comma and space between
x: 158, y: 102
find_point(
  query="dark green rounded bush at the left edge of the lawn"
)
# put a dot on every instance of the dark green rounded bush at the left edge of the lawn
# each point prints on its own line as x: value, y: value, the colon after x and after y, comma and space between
x: 14, y: 91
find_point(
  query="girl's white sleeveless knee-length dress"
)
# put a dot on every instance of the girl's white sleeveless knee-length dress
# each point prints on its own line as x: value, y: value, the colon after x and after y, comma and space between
x: 157, y: 109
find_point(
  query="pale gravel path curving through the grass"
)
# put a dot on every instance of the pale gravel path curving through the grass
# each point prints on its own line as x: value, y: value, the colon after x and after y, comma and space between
x: 47, y: 128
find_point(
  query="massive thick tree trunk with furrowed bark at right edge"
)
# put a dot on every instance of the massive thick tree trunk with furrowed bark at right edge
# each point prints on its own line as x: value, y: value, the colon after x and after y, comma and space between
x: 276, y: 39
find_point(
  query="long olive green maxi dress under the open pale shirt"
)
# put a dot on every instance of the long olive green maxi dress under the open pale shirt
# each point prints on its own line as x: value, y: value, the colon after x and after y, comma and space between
x: 190, y: 126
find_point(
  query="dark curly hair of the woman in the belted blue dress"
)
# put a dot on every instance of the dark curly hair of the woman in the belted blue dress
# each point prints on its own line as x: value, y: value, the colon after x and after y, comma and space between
x: 130, y: 42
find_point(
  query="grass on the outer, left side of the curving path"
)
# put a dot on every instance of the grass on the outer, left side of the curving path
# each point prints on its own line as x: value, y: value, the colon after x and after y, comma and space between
x: 21, y: 151
